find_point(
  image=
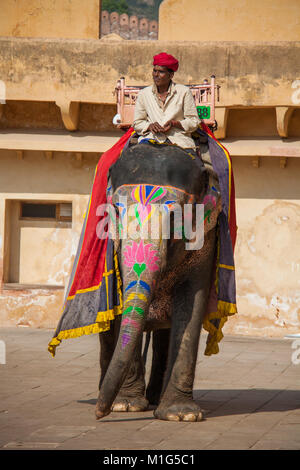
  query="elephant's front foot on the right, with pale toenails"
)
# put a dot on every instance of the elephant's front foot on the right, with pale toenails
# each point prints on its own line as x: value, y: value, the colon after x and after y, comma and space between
x: 179, y: 410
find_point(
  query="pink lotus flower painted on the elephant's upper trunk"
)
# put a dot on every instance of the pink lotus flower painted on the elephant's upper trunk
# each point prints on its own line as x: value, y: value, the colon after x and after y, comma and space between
x: 141, y: 254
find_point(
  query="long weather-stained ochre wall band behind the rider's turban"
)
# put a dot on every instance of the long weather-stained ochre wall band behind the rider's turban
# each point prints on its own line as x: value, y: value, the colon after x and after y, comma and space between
x: 87, y: 70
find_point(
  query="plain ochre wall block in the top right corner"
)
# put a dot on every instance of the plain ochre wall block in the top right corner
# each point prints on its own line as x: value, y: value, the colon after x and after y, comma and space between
x: 229, y: 20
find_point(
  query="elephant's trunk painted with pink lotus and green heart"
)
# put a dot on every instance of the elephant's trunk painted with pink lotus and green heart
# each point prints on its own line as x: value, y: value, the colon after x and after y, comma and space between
x: 141, y: 262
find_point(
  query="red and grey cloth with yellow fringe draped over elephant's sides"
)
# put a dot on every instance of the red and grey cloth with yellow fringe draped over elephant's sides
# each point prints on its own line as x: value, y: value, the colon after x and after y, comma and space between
x: 94, y: 294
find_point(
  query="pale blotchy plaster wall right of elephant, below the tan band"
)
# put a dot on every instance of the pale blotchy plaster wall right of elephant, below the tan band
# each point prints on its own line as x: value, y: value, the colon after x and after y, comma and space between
x: 268, y: 269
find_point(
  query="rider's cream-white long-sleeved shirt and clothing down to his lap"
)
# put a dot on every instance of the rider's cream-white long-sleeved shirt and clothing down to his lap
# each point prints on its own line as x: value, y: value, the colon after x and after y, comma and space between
x: 179, y: 105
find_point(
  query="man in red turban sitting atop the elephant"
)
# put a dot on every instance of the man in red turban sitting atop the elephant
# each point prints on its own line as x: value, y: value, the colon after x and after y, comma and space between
x: 166, y: 111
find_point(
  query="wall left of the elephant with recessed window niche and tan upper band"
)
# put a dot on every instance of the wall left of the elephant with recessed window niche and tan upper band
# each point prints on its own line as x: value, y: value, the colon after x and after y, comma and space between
x: 40, y: 252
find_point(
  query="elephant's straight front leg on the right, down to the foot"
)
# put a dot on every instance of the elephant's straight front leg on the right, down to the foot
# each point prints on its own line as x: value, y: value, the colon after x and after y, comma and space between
x: 190, y: 301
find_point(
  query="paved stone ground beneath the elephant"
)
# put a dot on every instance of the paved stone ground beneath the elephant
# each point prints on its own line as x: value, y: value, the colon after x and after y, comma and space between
x: 250, y: 392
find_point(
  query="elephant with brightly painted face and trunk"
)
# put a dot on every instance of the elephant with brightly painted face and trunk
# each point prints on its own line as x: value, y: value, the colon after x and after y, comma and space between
x: 165, y: 285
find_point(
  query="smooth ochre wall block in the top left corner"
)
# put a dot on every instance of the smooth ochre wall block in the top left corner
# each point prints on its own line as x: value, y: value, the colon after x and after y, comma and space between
x: 50, y: 18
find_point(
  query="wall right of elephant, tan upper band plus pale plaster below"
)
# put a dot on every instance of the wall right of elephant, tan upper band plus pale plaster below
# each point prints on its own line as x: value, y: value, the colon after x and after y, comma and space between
x: 267, y: 255
